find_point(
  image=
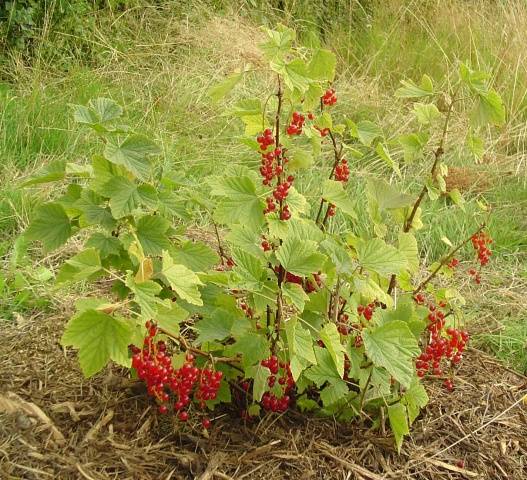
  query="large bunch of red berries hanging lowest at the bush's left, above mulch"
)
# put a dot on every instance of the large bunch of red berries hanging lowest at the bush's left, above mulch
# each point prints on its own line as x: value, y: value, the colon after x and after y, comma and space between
x: 154, y: 366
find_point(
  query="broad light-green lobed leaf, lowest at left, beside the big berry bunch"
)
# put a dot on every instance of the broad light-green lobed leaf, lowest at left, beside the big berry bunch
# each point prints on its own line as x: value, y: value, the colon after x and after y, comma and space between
x: 99, y: 338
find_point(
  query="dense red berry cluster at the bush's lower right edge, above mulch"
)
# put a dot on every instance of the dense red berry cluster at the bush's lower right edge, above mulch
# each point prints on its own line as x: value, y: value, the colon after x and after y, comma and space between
x: 440, y: 346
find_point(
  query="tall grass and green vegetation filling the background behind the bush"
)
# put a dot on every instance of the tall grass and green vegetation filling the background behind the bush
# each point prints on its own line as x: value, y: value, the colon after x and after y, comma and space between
x: 160, y: 57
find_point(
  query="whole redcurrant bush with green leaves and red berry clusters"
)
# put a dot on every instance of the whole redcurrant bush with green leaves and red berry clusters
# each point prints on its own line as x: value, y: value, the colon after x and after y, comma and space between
x: 296, y: 305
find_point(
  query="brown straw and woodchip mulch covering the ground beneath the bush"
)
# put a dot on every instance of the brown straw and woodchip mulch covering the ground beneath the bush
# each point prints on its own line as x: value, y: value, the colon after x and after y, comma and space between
x: 105, y: 429
